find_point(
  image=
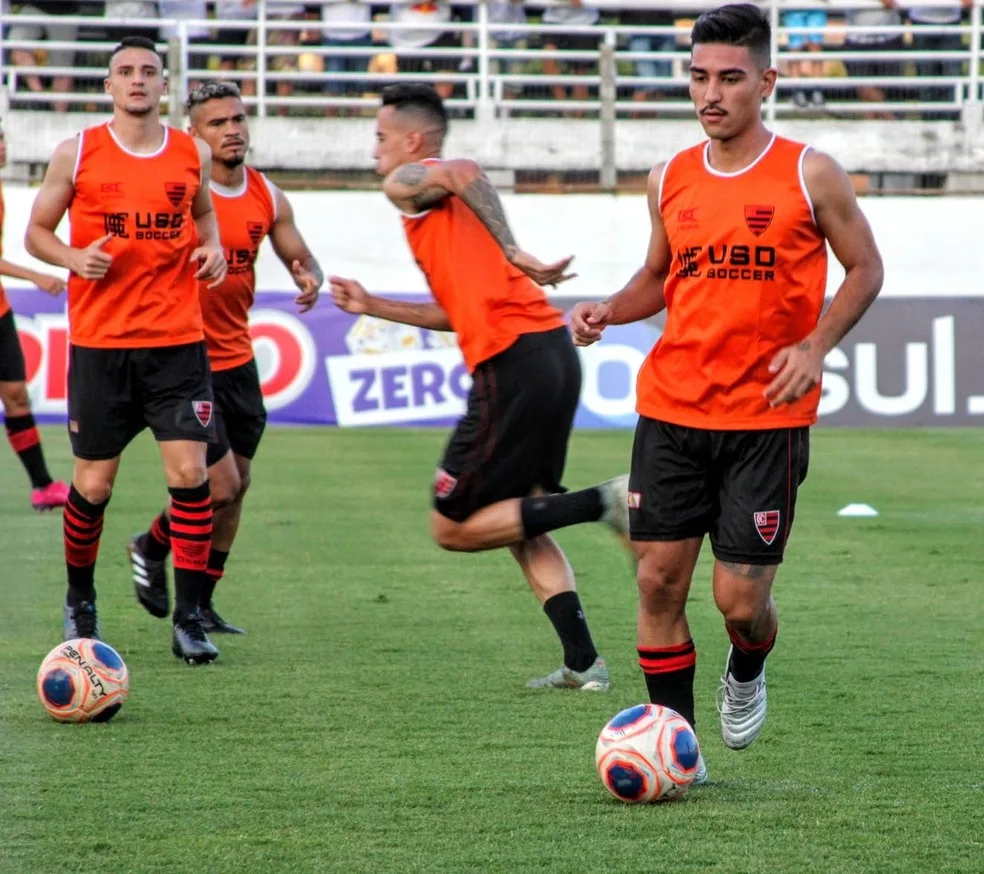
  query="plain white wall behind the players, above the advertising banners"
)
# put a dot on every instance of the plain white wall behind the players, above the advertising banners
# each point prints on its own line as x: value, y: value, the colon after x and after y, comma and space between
x: 931, y: 246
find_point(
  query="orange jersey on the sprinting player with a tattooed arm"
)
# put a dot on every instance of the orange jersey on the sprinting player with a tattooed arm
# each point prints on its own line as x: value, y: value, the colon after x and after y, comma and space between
x: 488, y: 301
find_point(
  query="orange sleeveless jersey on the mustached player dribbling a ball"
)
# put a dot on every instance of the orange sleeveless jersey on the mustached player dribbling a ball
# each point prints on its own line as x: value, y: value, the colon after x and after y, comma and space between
x: 748, y: 276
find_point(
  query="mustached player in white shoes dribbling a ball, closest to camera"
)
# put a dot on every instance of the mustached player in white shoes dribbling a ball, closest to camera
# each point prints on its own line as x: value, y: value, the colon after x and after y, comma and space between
x: 738, y: 258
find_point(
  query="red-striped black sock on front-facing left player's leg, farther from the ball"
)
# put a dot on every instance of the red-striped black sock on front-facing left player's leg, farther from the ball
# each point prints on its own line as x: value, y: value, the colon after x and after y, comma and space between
x: 191, y: 537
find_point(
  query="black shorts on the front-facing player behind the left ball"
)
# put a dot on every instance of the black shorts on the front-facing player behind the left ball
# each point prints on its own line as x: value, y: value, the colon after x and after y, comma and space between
x: 113, y: 394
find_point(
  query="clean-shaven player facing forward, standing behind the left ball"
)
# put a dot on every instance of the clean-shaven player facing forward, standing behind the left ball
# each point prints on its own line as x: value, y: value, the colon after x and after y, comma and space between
x: 142, y: 234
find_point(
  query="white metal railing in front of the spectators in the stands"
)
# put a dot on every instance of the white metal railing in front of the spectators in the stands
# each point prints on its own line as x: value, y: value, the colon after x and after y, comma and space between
x: 284, y: 72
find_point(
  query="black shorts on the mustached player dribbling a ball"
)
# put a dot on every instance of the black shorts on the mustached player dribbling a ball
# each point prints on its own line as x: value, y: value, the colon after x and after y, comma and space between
x: 739, y: 487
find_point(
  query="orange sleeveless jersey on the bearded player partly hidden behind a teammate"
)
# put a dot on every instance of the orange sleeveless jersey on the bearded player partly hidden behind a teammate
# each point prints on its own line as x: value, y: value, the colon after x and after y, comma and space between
x: 245, y: 217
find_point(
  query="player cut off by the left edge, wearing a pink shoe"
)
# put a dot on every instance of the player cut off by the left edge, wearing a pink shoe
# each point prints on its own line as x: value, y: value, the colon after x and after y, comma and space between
x: 24, y: 437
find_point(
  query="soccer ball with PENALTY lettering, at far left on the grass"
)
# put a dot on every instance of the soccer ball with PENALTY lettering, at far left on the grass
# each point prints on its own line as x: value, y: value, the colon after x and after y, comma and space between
x: 83, y: 680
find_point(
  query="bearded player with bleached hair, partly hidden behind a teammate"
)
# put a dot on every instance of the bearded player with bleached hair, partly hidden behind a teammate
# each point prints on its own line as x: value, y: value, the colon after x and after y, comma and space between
x: 248, y: 208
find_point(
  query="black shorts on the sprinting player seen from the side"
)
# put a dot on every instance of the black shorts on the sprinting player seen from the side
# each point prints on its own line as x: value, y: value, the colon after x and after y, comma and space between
x: 513, y: 436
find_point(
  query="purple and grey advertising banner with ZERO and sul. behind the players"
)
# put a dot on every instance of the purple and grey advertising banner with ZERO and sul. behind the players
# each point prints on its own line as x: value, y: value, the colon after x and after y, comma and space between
x: 911, y: 361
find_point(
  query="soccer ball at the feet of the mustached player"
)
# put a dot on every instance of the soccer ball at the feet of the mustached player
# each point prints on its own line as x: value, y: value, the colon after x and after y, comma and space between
x: 647, y: 753
